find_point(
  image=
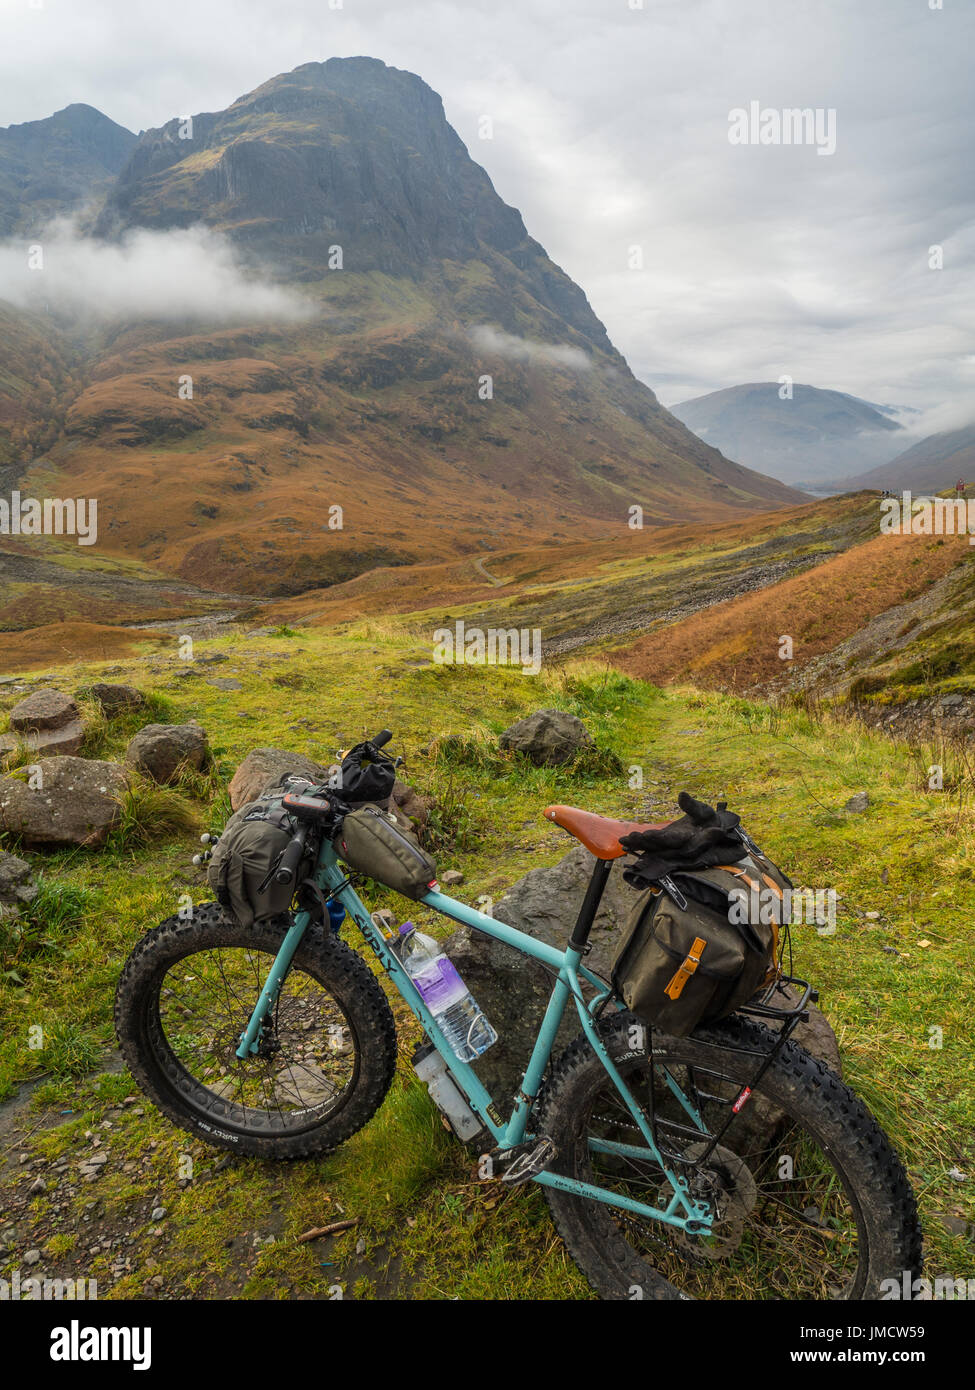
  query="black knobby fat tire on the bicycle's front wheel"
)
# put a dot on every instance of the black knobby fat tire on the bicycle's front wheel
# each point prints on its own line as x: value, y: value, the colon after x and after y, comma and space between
x: 325, y: 958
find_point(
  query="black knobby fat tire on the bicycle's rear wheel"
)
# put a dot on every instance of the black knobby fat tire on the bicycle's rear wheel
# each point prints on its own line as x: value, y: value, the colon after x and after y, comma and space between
x: 810, y: 1092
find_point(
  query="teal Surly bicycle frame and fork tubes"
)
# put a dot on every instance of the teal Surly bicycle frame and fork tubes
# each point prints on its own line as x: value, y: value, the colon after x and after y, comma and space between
x: 570, y: 972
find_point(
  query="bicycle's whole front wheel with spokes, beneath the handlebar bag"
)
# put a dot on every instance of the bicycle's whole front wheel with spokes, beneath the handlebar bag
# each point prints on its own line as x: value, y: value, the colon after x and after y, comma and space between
x: 326, y: 1057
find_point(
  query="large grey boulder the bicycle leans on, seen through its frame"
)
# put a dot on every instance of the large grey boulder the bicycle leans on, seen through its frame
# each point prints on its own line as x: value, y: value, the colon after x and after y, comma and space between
x: 514, y: 990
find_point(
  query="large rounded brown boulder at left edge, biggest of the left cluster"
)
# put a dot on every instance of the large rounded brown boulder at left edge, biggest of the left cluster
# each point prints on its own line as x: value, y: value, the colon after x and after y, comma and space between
x: 77, y: 803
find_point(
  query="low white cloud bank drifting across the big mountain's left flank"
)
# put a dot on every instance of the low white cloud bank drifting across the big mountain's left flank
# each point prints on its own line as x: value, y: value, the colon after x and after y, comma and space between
x: 190, y: 273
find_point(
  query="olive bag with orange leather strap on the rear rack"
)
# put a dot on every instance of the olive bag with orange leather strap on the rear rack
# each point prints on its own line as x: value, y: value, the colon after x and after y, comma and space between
x: 691, y: 954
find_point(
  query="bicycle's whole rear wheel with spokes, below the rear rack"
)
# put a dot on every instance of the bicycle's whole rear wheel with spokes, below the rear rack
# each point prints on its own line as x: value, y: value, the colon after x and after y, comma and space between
x: 809, y: 1197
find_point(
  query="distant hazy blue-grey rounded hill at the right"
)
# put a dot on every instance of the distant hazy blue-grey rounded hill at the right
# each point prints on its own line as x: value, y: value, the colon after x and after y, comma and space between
x: 810, y: 439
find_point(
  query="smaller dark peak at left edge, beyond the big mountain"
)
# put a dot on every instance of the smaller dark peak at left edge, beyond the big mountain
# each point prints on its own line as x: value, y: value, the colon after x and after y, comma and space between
x: 58, y: 165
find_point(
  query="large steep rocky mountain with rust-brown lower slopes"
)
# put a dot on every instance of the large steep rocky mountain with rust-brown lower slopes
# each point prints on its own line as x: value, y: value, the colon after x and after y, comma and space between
x: 450, y: 389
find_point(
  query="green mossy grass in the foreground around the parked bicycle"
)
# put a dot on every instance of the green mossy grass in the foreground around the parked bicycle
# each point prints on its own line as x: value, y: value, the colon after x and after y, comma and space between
x: 892, y: 985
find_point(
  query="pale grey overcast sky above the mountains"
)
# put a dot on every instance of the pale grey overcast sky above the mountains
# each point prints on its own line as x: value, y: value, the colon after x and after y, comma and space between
x: 611, y: 131
